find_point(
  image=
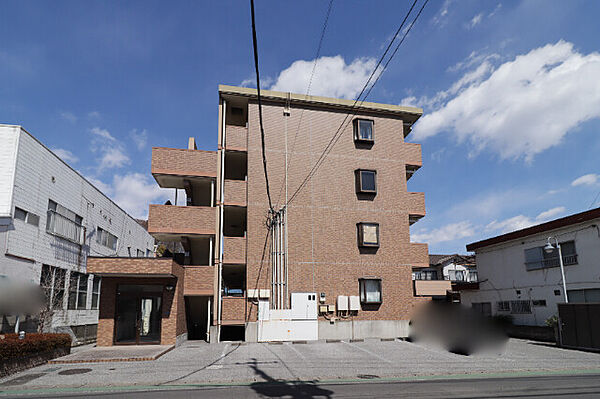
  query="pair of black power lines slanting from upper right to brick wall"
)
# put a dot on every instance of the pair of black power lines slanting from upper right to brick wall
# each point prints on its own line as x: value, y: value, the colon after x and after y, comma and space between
x: 337, y: 134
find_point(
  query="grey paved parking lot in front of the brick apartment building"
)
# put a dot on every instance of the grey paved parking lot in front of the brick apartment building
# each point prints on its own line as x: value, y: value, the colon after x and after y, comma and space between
x: 201, y: 363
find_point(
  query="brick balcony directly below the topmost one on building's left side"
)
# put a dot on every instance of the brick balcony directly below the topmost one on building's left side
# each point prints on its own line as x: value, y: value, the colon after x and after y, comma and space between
x: 170, y: 222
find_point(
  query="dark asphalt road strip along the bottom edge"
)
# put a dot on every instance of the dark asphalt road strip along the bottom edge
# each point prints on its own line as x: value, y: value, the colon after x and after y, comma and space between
x: 556, y: 386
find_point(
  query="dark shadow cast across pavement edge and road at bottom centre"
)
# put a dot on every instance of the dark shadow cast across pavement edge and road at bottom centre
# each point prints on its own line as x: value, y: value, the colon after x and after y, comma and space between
x: 273, y: 388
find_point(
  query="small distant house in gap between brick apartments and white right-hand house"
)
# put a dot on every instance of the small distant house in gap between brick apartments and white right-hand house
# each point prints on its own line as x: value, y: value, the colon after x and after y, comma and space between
x: 446, y: 276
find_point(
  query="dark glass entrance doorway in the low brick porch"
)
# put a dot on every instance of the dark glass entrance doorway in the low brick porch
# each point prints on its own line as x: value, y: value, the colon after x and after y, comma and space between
x: 138, y: 314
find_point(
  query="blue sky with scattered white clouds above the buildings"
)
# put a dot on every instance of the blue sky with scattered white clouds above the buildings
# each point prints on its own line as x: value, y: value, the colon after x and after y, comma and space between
x: 510, y: 92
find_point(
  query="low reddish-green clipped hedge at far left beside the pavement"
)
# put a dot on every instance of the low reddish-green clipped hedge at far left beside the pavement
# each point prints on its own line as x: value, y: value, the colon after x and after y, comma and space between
x: 11, y: 347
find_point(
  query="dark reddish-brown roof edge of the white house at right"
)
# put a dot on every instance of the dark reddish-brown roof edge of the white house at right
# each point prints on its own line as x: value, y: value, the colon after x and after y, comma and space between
x: 540, y: 228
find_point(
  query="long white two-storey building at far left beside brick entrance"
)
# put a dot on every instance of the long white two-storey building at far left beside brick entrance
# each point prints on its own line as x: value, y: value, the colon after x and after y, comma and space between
x: 51, y: 220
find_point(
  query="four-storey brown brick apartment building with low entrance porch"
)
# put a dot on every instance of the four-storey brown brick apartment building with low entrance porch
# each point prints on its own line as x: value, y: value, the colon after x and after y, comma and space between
x: 334, y: 259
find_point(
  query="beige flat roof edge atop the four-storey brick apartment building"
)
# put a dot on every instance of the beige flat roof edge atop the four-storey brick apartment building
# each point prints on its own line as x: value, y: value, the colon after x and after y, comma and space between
x: 410, y: 114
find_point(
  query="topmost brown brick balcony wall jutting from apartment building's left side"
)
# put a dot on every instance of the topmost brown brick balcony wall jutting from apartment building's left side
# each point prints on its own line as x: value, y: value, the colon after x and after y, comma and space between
x: 184, y: 162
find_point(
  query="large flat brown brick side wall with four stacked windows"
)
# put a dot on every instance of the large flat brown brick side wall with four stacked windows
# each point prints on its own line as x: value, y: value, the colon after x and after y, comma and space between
x: 323, y: 251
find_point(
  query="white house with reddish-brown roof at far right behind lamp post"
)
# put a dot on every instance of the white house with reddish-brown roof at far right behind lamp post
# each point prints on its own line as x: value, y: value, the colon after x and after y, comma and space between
x: 518, y: 277
